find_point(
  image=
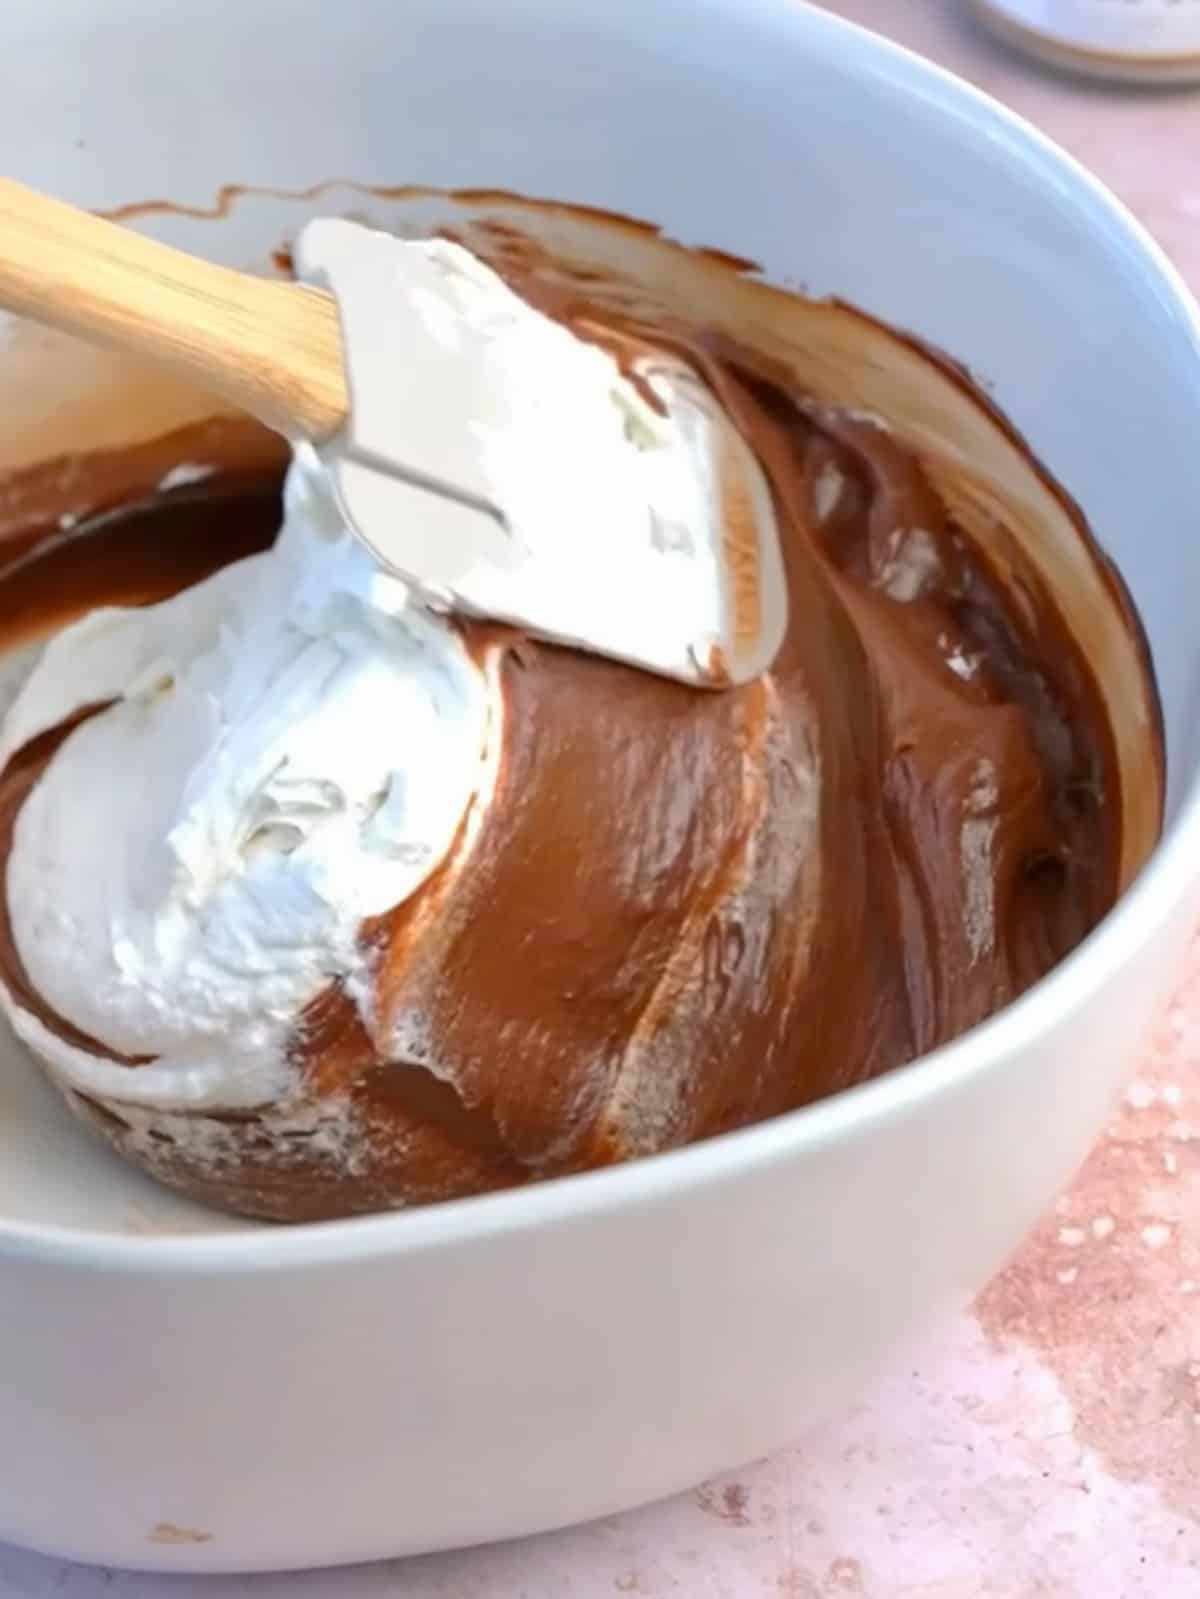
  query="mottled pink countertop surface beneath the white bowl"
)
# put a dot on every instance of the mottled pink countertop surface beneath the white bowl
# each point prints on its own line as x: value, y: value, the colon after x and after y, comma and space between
x: 1047, y: 1445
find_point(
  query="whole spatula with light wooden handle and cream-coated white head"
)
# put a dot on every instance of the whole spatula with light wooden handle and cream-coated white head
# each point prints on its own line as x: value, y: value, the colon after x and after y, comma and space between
x: 471, y: 447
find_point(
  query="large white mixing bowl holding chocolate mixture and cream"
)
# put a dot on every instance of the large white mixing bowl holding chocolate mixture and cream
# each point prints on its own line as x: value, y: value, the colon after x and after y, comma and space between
x: 191, y: 1394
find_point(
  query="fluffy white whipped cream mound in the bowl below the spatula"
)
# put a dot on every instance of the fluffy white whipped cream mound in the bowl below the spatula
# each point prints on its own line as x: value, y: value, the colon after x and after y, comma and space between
x: 292, y: 749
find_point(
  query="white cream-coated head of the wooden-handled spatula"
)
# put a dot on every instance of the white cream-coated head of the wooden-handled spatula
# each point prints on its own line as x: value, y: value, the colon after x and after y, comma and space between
x: 508, y: 469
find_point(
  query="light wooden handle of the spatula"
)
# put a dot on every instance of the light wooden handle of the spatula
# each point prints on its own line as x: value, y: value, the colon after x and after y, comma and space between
x: 271, y: 348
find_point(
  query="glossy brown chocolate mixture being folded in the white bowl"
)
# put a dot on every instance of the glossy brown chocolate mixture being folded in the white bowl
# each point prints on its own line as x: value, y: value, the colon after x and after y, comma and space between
x: 684, y: 912
